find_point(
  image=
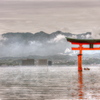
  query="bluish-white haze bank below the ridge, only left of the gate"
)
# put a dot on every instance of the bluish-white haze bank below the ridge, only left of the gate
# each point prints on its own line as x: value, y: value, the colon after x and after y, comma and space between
x: 18, y: 49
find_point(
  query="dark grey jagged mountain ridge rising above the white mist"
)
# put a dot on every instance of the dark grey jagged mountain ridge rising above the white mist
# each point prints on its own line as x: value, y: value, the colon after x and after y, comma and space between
x: 39, y: 36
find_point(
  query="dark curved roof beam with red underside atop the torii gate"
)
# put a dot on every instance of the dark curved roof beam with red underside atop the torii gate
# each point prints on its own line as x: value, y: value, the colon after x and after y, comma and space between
x: 83, y: 41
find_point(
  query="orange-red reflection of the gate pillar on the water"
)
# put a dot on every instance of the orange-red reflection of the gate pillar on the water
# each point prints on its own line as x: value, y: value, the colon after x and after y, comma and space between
x: 80, y: 83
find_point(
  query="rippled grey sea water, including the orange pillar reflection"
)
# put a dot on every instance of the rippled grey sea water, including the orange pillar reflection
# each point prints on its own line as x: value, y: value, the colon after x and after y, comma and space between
x: 49, y: 83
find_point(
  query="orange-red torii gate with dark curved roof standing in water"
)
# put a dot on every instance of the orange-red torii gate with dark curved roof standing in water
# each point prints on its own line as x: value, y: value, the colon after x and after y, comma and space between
x: 81, y: 42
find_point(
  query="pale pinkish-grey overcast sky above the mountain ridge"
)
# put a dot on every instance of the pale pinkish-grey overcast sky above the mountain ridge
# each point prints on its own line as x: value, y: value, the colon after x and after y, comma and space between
x: 75, y: 16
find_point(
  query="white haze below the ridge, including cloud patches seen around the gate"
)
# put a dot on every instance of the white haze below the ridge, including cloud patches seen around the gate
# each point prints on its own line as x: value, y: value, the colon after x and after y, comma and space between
x: 15, y: 47
